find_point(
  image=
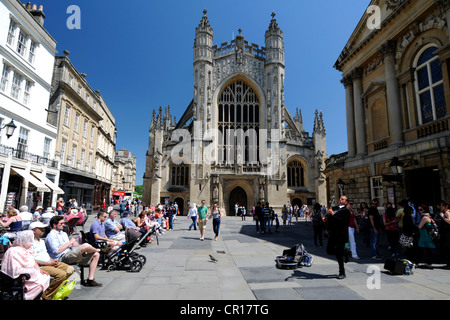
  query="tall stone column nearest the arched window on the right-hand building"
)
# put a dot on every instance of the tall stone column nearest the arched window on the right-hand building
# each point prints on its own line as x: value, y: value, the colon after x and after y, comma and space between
x: 393, y: 94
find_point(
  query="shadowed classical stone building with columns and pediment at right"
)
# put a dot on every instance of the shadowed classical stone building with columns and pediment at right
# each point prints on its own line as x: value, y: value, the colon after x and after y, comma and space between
x: 396, y: 79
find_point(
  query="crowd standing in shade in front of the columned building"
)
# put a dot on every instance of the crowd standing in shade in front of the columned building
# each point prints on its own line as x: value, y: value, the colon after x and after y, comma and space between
x: 413, y: 232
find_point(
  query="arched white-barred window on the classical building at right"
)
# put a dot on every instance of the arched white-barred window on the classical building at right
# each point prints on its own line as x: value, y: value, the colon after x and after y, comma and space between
x: 430, y: 86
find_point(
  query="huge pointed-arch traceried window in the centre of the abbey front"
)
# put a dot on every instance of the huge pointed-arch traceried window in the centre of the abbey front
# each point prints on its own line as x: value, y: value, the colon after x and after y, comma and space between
x: 238, y: 115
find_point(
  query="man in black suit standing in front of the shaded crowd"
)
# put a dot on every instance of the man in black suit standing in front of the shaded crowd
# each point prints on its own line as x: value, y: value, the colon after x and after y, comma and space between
x: 338, y: 222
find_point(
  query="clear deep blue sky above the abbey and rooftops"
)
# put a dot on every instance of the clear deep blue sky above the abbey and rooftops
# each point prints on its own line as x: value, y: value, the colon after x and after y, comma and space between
x: 139, y: 55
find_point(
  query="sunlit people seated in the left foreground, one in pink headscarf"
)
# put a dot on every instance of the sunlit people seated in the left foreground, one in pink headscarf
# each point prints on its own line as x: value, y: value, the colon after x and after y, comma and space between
x: 38, y: 244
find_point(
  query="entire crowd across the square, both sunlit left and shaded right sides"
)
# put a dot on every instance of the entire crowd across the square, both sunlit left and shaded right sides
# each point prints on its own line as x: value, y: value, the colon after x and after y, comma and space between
x: 40, y: 243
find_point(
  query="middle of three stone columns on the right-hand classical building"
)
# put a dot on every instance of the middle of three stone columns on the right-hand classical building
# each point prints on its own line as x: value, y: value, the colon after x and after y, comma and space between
x: 360, y: 119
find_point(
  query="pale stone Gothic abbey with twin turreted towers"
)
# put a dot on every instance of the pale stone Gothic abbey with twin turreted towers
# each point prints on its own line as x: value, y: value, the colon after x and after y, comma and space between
x: 236, y: 142
